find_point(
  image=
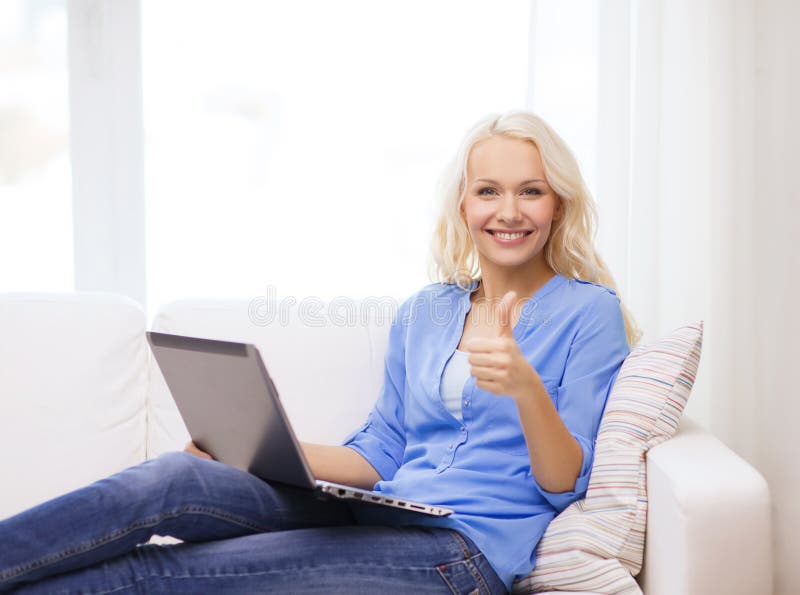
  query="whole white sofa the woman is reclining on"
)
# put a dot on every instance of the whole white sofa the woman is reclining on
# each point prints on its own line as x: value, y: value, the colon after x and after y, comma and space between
x: 81, y: 398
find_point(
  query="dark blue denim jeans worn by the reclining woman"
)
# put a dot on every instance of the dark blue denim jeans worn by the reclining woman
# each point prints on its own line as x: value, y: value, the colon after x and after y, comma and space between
x: 240, y: 535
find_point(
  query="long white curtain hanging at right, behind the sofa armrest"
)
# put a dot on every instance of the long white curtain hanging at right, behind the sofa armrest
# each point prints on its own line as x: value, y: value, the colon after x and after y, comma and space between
x: 696, y: 151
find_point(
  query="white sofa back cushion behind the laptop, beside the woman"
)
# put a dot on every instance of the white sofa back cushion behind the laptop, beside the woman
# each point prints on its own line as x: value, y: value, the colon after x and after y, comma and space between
x: 326, y: 359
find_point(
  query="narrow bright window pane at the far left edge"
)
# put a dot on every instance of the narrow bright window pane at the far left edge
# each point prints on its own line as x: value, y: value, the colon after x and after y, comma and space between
x: 35, y: 181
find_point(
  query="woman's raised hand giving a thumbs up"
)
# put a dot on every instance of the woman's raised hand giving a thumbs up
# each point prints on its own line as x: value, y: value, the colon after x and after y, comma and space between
x: 497, y: 362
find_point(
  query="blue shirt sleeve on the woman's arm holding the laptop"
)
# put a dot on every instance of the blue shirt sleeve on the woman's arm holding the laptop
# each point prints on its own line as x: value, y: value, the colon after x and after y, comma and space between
x: 381, y: 439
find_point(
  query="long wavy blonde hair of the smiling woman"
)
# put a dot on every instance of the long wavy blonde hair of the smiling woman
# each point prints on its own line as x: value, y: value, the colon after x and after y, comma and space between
x: 569, y: 250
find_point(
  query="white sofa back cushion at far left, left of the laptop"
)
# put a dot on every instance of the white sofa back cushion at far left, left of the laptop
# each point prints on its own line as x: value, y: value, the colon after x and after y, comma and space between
x: 73, y: 382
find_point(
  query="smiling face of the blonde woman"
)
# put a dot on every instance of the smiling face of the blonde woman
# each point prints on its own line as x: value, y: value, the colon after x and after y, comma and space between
x: 507, y: 191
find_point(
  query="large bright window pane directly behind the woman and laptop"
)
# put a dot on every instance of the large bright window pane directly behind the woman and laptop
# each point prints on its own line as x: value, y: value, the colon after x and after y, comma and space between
x: 298, y: 144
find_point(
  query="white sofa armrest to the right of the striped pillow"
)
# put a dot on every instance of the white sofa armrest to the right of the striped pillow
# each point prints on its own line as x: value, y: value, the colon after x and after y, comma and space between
x: 709, y: 520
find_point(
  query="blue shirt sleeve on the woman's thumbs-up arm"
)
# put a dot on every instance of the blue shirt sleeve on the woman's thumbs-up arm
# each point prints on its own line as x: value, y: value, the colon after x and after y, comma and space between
x: 593, y: 362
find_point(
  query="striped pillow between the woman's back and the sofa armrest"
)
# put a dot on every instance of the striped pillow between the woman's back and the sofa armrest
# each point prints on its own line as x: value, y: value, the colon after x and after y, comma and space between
x: 597, y: 544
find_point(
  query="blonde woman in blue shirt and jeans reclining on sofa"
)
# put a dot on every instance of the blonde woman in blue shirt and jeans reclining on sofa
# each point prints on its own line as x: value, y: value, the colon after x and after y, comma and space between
x: 495, y: 381
